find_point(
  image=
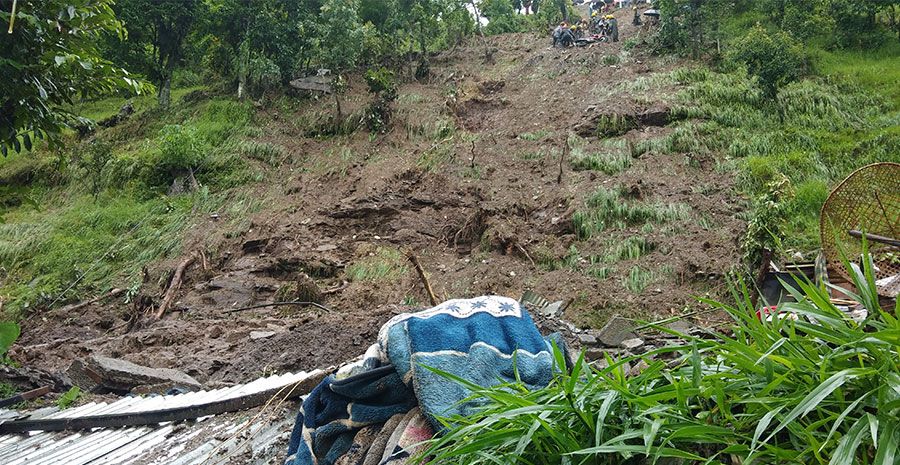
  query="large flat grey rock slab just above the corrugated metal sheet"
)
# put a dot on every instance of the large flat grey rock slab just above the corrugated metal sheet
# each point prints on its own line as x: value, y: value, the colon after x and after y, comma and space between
x: 104, y: 374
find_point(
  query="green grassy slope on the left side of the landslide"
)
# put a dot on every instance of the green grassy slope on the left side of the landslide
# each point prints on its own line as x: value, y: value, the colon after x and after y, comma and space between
x: 69, y: 243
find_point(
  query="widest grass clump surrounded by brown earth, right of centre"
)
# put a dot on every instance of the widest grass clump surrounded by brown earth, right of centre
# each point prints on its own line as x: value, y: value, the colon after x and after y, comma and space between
x: 608, y: 208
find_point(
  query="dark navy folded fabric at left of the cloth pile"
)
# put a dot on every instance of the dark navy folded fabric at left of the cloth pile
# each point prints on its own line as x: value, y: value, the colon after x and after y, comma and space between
x: 336, y: 410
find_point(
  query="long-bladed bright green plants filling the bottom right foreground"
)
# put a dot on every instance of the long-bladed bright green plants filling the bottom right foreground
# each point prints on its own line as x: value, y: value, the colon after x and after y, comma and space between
x: 816, y: 389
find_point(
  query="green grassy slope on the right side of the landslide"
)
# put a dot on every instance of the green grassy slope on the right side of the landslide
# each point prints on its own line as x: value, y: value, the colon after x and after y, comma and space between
x: 832, y: 125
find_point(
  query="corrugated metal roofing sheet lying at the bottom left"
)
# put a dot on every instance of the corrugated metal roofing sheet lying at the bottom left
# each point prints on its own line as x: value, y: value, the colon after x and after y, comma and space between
x: 257, y: 436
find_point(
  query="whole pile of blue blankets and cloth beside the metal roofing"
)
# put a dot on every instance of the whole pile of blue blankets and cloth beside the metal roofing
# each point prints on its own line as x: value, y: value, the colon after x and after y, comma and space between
x: 379, y: 410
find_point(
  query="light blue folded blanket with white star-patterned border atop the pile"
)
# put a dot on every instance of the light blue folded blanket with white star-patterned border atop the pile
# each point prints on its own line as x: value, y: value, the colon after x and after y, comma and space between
x: 483, y: 340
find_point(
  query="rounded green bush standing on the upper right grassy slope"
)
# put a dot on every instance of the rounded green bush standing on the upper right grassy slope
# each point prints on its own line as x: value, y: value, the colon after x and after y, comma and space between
x: 773, y: 58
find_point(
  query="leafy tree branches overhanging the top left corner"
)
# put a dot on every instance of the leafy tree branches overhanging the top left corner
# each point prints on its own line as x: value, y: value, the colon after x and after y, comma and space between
x: 49, y: 59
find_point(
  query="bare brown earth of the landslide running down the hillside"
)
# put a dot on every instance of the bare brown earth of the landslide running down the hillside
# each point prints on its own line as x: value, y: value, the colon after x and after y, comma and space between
x: 341, y: 209
